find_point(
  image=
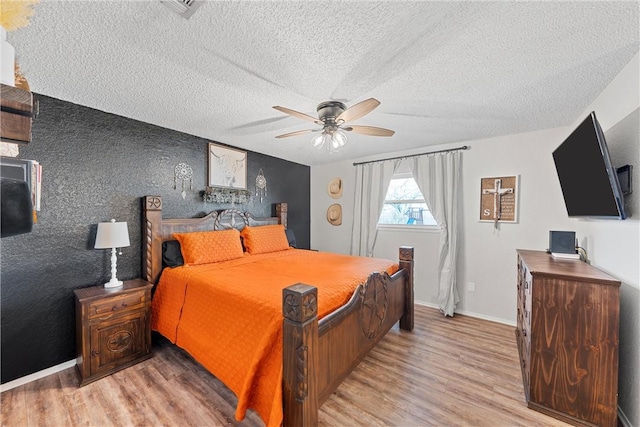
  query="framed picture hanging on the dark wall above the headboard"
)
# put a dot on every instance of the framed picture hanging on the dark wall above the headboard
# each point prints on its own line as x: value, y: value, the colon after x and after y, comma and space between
x: 227, y: 167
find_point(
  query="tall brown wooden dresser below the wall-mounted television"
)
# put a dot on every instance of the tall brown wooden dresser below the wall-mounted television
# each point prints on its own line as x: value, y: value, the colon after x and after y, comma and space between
x: 567, y: 335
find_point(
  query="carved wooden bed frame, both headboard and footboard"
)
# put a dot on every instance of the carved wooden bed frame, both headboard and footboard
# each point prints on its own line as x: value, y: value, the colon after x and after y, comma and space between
x: 317, y: 355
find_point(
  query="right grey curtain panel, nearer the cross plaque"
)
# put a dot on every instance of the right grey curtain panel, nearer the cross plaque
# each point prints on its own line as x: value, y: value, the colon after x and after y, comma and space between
x: 438, y: 177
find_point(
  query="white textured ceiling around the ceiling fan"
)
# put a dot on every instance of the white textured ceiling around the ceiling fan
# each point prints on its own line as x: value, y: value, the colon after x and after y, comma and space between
x: 443, y: 71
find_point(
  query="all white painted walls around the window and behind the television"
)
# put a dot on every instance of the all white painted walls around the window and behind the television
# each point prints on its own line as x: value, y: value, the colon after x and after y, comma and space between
x: 487, y: 255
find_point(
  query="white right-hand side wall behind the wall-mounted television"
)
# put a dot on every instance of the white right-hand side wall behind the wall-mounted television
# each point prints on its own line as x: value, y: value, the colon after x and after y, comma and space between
x: 614, y: 246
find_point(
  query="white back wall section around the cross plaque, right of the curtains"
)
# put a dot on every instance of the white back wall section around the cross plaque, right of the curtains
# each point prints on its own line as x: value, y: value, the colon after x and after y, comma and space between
x: 488, y: 255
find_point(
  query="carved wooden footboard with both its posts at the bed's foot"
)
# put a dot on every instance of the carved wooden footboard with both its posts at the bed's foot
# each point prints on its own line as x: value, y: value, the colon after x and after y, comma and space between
x: 318, y: 356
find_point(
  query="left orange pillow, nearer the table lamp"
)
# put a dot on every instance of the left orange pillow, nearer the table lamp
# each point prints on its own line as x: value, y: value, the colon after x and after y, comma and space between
x: 204, y: 247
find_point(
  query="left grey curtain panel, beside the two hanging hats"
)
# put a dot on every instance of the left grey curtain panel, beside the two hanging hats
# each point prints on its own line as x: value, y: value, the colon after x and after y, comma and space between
x: 372, y: 183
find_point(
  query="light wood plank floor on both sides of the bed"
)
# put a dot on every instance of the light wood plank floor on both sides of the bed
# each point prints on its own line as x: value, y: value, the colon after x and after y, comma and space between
x: 456, y: 371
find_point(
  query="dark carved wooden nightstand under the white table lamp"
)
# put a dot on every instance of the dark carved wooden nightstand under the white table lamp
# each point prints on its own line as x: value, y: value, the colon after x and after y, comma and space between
x: 112, y: 328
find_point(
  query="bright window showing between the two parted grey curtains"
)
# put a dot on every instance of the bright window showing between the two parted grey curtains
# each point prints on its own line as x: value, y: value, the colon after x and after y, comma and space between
x: 404, y: 204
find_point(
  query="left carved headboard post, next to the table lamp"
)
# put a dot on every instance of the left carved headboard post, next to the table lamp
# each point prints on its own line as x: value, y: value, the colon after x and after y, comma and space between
x: 151, y: 254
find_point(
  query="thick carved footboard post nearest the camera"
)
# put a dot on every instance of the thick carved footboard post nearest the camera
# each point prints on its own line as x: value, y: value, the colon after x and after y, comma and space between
x: 300, y: 356
